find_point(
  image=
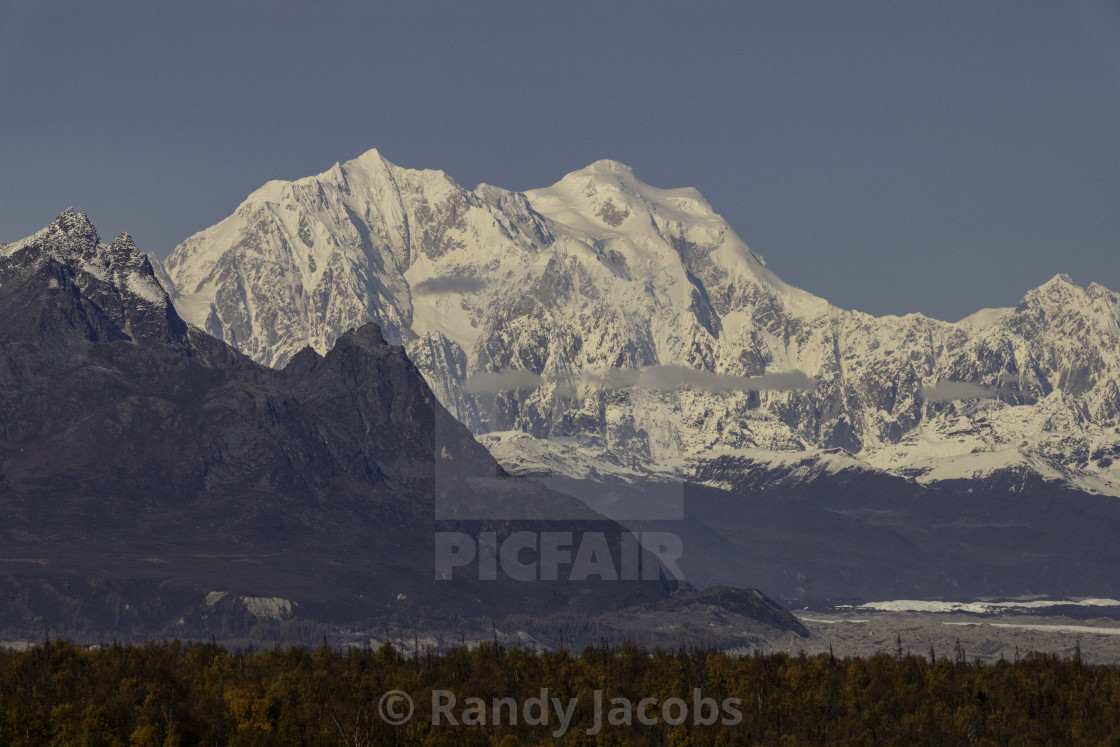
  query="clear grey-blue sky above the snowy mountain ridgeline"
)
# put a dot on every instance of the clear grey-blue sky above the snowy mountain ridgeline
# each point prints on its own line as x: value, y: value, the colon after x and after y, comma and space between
x: 892, y: 157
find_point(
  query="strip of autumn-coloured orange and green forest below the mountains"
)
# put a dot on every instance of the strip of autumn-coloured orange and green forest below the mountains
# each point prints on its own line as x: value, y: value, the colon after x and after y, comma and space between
x: 180, y: 694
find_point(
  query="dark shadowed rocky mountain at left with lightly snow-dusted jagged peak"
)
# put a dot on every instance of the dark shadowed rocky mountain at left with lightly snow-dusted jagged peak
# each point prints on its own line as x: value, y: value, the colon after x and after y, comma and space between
x: 154, y: 481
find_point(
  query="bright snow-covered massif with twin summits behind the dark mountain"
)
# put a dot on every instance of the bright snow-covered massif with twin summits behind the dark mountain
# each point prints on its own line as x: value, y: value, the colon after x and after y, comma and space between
x: 602, y: 325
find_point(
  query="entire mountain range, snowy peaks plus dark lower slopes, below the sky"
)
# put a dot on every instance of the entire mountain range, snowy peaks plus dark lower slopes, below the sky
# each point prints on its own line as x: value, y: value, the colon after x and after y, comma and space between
x: 258, y: 436
